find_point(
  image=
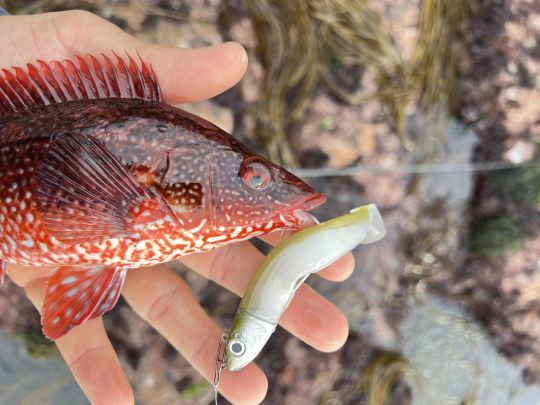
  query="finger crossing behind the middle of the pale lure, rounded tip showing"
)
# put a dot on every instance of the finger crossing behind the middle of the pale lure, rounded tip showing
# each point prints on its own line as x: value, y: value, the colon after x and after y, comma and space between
x: 311, y: 317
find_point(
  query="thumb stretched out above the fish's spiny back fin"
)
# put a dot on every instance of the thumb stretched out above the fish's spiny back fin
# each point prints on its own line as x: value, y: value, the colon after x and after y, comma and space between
x: 185, y: 75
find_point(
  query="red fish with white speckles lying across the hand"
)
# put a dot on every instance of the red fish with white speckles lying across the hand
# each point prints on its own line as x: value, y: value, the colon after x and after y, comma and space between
x: 98, y: 176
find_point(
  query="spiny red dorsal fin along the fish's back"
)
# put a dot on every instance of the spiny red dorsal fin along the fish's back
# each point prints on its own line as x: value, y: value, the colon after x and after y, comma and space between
x: 79, y: 78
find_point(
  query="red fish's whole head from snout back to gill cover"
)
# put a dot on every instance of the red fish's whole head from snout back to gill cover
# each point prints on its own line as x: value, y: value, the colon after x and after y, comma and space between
x: 219, y: 187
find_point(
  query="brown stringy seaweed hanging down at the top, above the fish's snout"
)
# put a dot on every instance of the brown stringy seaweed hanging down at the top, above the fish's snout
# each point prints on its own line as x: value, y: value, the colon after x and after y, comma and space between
x: 300, y: 44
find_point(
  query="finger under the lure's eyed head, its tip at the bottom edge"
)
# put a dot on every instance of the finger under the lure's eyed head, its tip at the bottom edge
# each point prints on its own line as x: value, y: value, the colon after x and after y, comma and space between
x: 163, y: 299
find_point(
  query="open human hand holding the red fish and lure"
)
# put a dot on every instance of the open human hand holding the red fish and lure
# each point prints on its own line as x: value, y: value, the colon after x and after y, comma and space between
x: 158, y: 295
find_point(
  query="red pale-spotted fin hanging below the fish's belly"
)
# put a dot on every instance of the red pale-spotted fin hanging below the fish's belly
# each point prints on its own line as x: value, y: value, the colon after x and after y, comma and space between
x: 77, y: 293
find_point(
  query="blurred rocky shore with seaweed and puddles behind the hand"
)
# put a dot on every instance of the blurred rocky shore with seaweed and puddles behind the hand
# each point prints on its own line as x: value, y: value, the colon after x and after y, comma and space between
x: 431, y: 110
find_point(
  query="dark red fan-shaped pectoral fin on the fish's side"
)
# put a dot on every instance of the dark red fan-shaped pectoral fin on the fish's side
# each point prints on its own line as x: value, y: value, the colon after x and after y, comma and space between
x: 84, y: 193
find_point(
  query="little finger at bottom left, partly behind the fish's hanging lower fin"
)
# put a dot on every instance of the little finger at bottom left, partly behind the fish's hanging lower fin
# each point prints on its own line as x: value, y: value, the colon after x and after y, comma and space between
x: 90, y: 356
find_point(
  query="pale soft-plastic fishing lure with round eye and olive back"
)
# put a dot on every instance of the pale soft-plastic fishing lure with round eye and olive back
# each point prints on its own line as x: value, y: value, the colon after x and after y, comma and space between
x: 284, y: 270
